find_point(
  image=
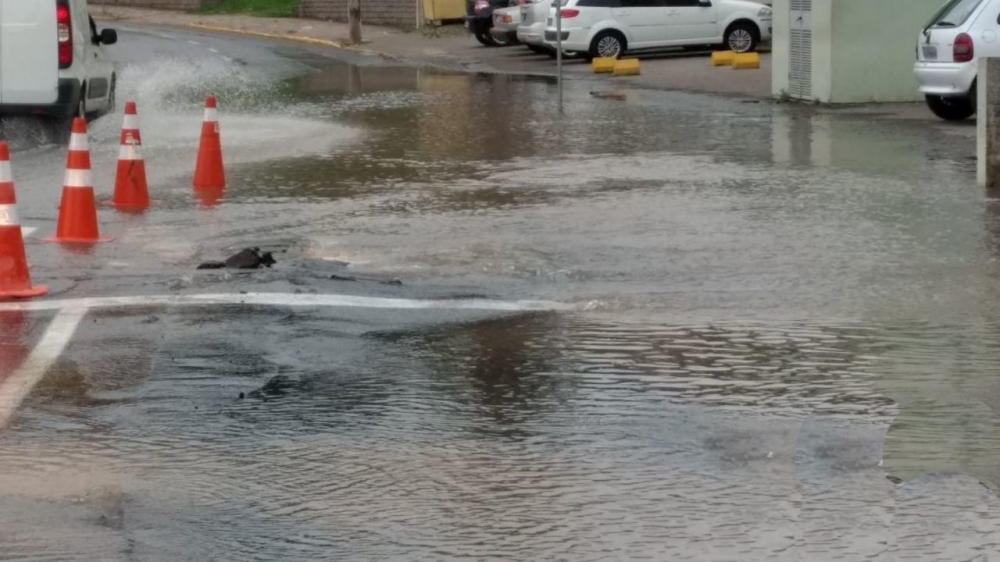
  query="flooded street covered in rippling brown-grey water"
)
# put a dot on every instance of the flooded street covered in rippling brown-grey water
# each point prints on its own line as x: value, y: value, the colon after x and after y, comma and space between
x: 707, y: 314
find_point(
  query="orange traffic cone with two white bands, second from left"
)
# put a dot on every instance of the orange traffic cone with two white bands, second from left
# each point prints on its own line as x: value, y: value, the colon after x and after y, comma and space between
x: 77, y: 211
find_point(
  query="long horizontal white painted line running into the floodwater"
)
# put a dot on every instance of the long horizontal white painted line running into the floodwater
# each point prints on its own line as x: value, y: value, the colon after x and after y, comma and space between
x: 284, y: 299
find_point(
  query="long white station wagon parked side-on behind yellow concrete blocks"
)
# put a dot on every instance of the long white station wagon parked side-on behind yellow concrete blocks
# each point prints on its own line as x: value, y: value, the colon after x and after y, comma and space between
x: 609, y: 28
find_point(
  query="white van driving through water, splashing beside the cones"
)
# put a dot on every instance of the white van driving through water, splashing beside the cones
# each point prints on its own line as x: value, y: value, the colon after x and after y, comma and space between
x: 52, y: 60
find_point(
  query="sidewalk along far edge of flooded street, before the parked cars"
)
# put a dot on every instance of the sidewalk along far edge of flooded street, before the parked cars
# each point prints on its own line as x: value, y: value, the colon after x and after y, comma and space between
x: 451, y: 47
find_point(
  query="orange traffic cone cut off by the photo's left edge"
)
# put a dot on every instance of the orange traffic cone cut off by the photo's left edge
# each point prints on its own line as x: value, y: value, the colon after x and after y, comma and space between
x: 15, y: 283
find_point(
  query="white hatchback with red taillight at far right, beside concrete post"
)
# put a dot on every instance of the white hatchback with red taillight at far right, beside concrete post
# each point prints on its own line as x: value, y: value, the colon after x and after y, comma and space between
x: 946, y: 55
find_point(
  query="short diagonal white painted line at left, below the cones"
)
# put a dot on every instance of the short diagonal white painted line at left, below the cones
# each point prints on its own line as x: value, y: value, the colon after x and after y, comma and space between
x: 15, y: 388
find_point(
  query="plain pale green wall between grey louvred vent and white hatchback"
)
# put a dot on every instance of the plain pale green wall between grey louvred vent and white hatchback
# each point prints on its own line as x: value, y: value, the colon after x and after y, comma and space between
x: 873, y: 49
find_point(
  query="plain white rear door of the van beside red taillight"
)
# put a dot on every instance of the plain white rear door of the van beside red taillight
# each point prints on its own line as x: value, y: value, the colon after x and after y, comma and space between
x: 29, y: 52
